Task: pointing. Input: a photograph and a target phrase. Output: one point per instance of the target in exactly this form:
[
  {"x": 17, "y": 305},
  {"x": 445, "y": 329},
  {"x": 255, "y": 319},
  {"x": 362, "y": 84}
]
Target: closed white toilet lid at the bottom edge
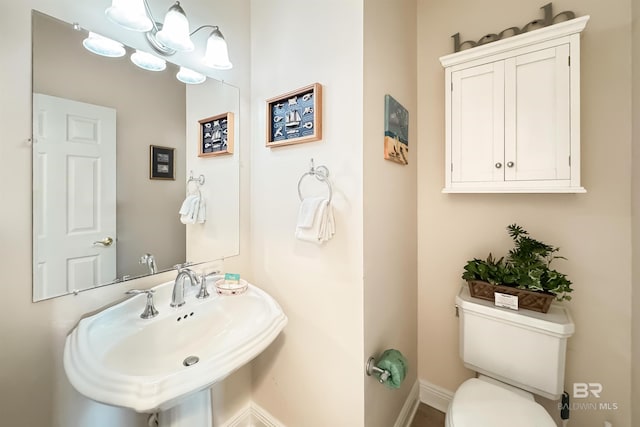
[{"x": 478, "y": 403}]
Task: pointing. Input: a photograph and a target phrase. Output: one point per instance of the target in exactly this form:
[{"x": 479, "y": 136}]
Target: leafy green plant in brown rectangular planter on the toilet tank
[{"x": 525, "y": 271}]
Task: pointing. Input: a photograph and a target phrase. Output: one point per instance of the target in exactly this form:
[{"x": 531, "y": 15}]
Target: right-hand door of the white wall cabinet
[{"x": 537, "y": 121}]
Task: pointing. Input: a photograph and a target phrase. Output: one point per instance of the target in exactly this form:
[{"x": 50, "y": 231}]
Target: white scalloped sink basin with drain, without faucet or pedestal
[{"x": 117, "y": 358}]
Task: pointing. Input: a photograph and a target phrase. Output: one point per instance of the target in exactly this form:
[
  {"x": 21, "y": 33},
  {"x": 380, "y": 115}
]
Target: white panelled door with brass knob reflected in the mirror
[{"x": 75, "y": 188}]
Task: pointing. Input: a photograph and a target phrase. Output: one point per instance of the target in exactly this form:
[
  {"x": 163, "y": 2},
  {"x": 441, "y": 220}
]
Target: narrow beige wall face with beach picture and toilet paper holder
[{"x": 390, "y": 203}]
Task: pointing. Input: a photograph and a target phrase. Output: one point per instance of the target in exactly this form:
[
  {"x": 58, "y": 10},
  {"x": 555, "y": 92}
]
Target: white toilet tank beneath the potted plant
[{"x": 523, "y": 348}]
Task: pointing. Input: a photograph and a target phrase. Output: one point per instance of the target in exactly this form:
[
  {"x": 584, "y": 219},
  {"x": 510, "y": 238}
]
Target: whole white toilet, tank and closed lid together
[{"x": 516, "y": 354}]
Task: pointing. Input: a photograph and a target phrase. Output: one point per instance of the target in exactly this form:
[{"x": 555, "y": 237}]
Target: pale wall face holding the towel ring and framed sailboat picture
[{"x": 312, "y": 375}]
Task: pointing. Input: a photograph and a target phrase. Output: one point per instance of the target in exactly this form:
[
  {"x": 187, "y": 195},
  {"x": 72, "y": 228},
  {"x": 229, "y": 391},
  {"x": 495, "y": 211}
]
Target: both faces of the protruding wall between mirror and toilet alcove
[{"x": 313, "y": 374}]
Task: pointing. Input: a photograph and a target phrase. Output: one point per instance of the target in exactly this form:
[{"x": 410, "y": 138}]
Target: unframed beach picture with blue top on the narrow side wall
[{"x": 396, "y": 131}]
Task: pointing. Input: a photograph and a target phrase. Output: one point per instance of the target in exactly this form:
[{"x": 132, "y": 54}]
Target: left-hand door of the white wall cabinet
[{"x": 477, "y": 123}]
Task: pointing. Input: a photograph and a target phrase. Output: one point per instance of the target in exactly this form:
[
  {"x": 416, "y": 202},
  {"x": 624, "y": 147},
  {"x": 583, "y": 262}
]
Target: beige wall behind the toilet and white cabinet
[{"x": 593, "y": 230}]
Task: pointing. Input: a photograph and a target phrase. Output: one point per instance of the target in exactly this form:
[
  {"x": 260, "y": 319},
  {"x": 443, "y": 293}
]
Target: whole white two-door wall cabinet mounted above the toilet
[{"x": 513, "y": 114}]
